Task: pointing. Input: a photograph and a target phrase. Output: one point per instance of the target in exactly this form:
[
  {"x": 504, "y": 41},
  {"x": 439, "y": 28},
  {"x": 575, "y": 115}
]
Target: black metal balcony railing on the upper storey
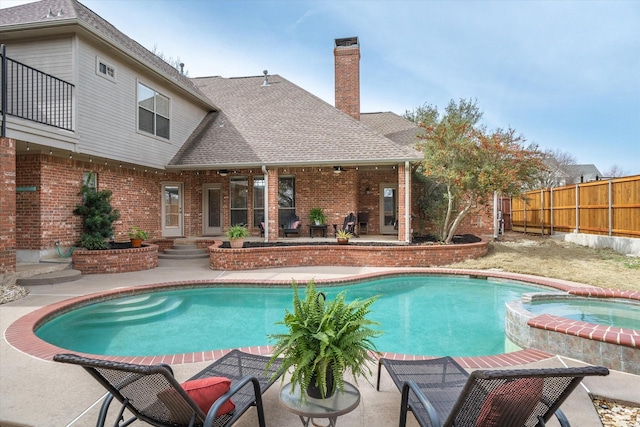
[{"x": 33, "y": 95}]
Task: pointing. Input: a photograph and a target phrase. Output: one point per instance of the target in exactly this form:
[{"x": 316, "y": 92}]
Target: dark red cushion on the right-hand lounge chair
[{"x": 511, "y": 403}]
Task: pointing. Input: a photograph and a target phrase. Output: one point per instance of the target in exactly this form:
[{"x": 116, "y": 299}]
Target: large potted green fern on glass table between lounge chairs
[{"x": 325, "y": 339}]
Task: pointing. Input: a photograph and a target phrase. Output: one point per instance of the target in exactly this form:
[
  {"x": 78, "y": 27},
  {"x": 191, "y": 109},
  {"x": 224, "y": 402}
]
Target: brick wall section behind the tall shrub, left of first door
[{"x": 46, "y": 215}]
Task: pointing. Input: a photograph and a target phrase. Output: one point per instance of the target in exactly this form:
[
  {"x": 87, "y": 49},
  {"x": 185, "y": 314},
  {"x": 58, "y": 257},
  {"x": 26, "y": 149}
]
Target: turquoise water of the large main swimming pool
[{"x": 427, "y": 315}]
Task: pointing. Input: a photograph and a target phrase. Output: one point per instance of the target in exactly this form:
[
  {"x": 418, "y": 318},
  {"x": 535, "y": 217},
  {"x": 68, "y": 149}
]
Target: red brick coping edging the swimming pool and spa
[{"x": 21, "y": 336}]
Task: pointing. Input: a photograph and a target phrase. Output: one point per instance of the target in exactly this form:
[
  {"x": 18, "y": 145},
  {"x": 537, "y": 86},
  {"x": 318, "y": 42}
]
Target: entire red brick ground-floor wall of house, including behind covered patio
[{"x": 46, "y": 215}]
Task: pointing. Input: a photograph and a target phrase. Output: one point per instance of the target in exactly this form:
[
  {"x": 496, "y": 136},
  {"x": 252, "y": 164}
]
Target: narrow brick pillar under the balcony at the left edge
[{"x": 7, "y": 206}]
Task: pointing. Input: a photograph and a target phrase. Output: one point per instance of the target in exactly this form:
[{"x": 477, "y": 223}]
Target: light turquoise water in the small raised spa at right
[{"x": 608, "y": 312}]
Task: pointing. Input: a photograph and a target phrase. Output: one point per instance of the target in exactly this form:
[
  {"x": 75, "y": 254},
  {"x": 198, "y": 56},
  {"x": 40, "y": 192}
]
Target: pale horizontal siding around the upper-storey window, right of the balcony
[{"x": 107, "y": 112}]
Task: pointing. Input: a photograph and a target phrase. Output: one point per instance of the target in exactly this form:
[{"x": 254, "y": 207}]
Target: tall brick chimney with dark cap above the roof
[{"x": 347, "y": 66}]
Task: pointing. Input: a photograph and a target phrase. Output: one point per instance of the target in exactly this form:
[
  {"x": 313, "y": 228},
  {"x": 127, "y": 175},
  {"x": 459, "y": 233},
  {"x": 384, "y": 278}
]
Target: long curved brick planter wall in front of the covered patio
[{"x": 344, "y": 255}]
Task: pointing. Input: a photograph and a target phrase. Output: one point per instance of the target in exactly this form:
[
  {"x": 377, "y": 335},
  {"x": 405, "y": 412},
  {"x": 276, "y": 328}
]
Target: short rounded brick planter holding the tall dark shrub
[{"x": 115, "y": 260}]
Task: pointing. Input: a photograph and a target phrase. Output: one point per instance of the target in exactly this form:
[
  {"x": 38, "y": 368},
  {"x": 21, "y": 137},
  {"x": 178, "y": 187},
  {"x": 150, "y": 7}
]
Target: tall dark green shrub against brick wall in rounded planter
[{"x": 98, "y": 217}]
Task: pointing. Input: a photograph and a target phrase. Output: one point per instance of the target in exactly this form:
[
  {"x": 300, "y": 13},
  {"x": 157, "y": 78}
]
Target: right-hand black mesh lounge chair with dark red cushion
[{"x": 440, "y": 392}]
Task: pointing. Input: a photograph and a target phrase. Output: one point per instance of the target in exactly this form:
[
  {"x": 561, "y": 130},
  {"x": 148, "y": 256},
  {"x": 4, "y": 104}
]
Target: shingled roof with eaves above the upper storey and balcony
[{"x": 59, "y": 15}]
